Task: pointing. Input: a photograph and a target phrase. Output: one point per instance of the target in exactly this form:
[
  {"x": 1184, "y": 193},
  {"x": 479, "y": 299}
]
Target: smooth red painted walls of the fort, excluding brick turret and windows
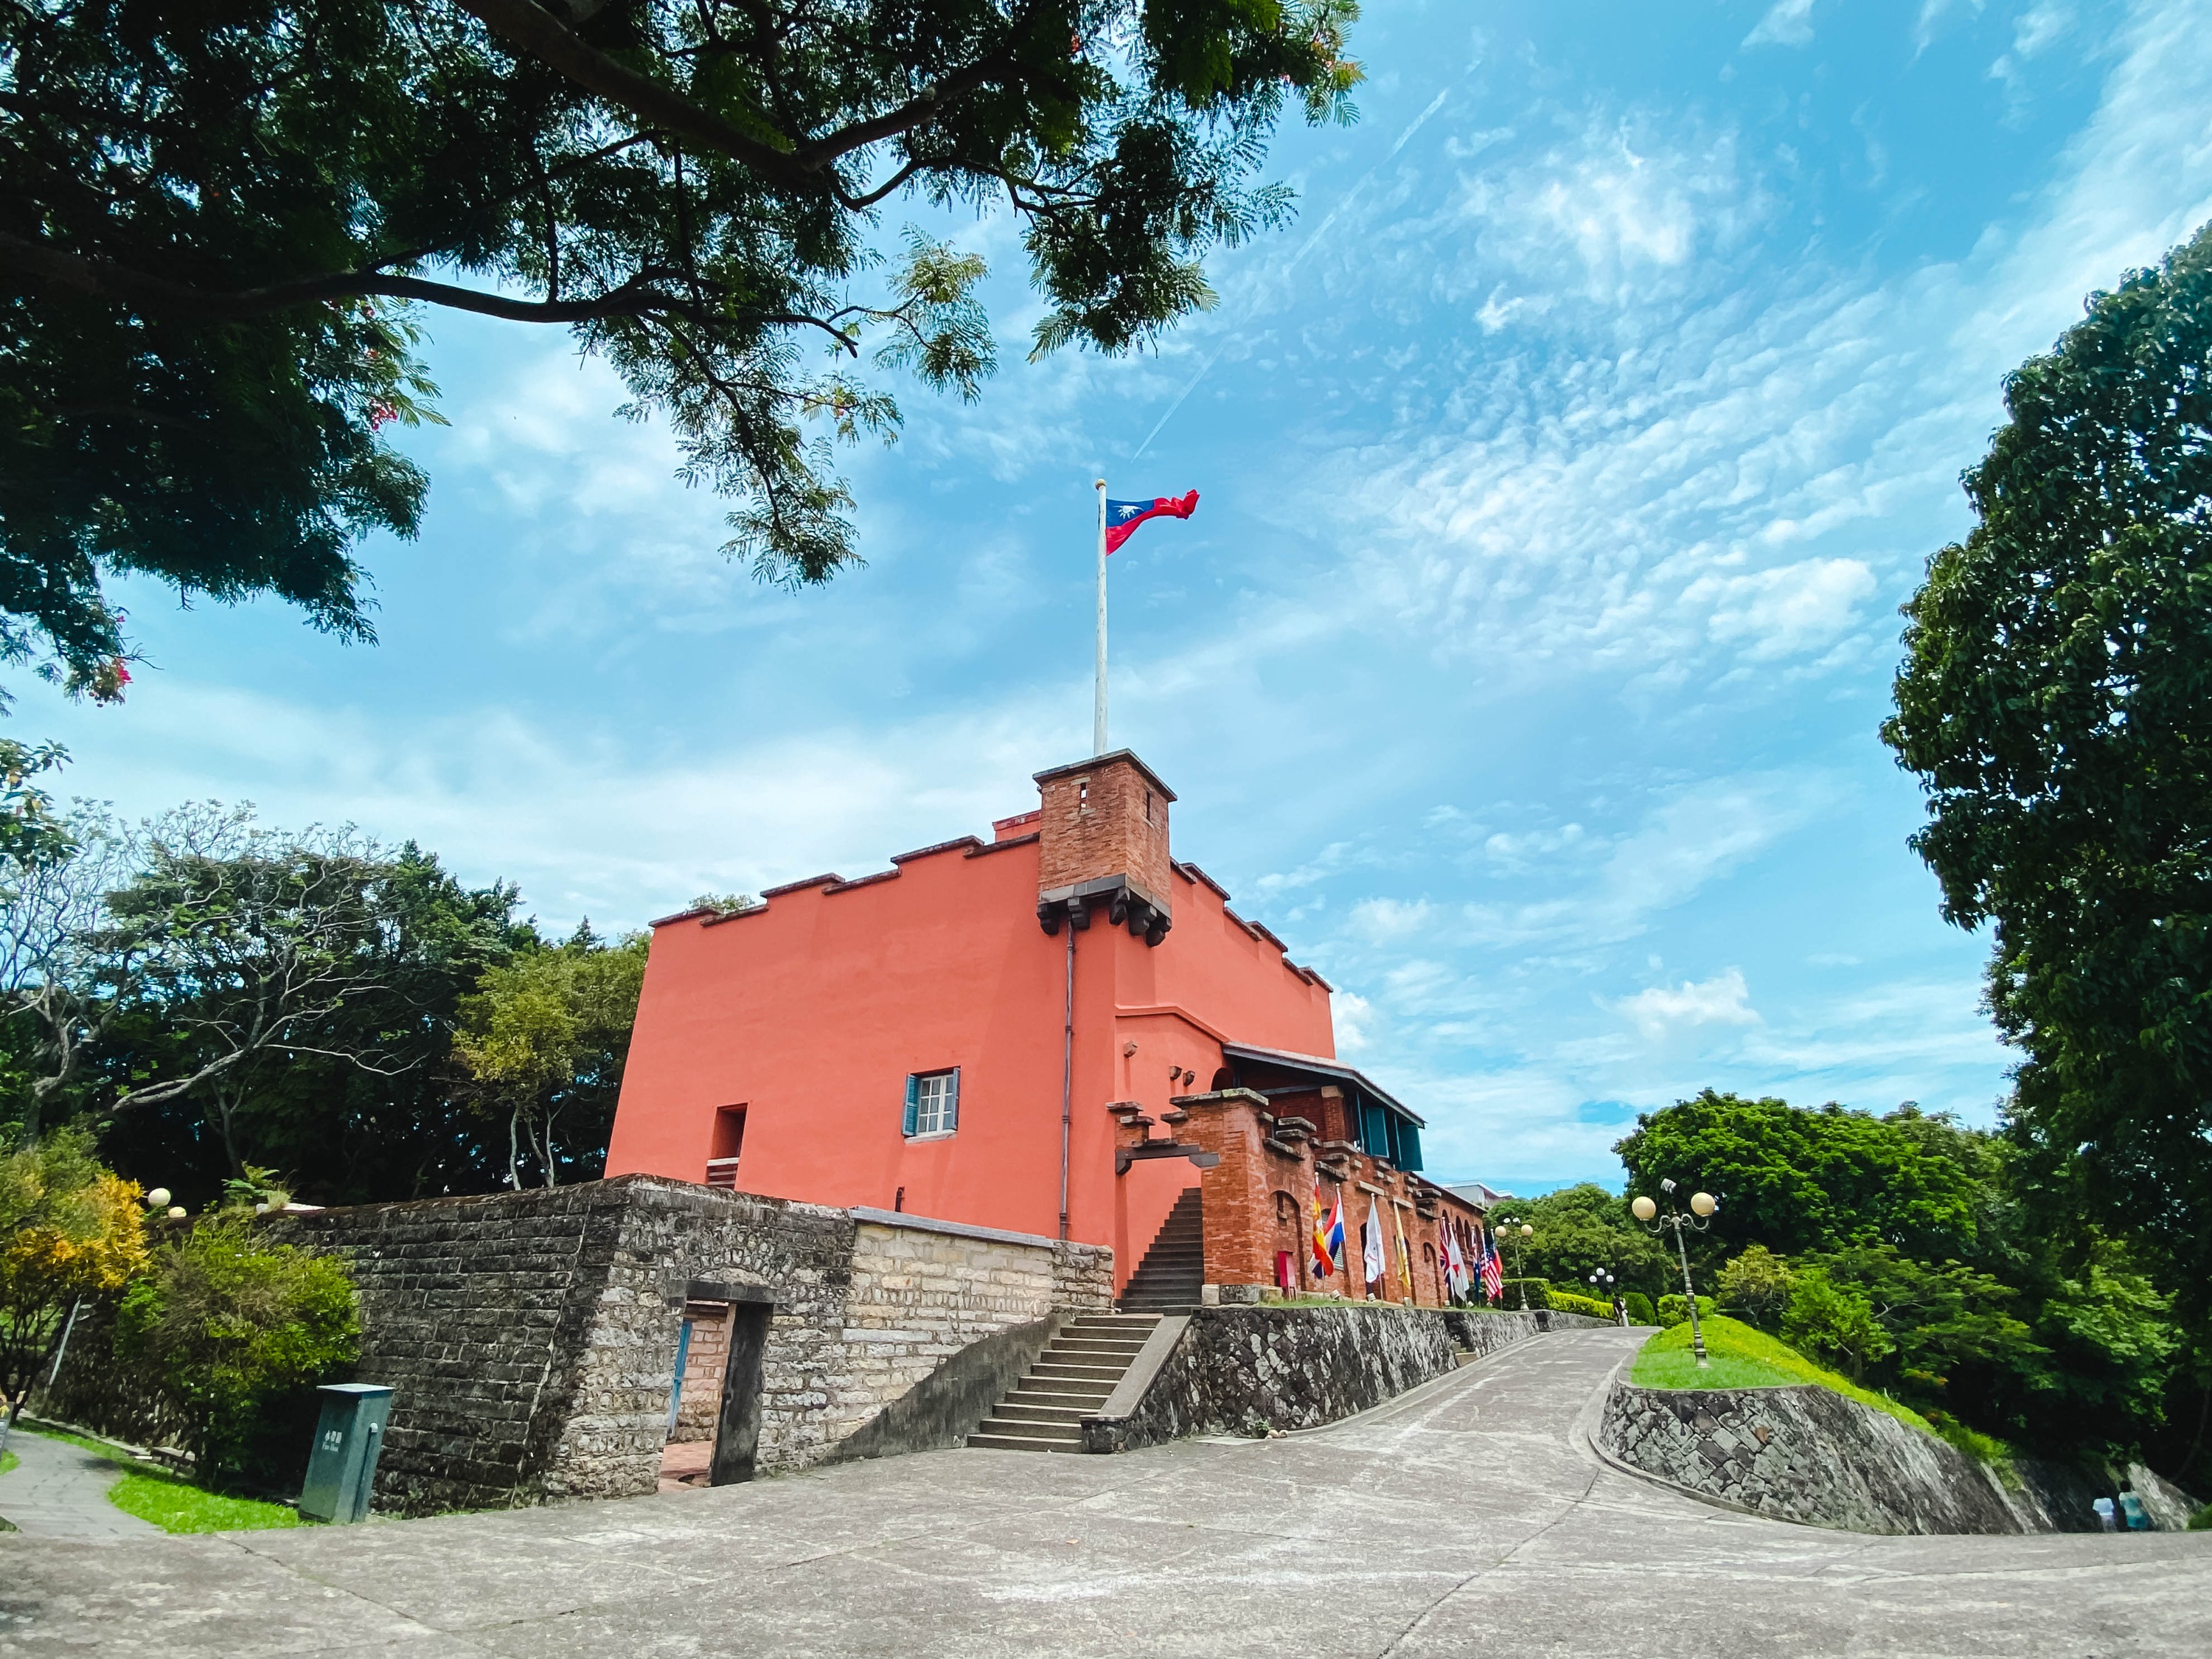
[{"x": 813, "y": 1010}]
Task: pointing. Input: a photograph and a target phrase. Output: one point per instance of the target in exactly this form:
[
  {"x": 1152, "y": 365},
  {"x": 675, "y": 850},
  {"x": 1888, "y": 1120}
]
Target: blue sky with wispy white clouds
[{"x": 1563, "y": 470}]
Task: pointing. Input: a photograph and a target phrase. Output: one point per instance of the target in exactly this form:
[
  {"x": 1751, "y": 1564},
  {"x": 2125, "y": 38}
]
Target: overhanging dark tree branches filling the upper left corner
[{"x": 225, "y": 222}]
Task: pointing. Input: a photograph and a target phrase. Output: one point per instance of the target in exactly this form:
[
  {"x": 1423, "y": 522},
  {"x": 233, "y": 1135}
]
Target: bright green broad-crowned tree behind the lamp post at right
[{"x": 1808, "y": 1180}]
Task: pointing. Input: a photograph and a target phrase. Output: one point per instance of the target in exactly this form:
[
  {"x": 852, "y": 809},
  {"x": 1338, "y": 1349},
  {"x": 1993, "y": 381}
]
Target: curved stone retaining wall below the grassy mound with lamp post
[{"x": 1815, "y": 1457}]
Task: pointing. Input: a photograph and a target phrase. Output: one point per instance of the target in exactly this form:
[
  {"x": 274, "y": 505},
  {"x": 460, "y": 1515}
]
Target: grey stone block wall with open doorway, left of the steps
[{"x": 532, "y": 1337}]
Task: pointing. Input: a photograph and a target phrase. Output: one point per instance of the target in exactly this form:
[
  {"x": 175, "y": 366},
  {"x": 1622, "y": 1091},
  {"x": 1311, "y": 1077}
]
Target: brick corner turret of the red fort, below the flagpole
[{"x": 1105, "y": 846}]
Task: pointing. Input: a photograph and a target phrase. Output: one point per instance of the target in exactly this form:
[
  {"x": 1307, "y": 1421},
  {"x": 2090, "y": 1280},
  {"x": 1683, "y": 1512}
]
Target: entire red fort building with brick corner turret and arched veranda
[{"x": 992, "y": 1032}]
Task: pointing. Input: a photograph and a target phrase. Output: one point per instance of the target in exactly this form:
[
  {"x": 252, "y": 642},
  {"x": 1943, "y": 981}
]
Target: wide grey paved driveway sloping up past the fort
[{"x": 1463, "y": 1519}]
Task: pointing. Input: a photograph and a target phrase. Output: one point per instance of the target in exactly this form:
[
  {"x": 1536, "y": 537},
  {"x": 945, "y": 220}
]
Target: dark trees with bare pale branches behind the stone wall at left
[{"x": 355, "y": 961}]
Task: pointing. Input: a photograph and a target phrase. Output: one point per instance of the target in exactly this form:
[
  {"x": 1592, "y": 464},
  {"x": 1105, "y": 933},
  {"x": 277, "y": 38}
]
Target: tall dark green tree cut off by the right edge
[{"x": 2056, "y": 702}]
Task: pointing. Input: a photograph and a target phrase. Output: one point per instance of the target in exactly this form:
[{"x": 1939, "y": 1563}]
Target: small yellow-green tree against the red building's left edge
[{"x": 552, "y": 1032}]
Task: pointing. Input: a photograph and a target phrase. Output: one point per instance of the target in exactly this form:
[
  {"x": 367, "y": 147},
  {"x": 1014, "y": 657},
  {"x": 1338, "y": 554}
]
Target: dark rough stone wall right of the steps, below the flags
[{"x": 1253, "y": 1368}]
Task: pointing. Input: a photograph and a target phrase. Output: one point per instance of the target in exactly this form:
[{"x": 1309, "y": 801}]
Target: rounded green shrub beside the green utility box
[{"x": 233, "y": 1331}]
